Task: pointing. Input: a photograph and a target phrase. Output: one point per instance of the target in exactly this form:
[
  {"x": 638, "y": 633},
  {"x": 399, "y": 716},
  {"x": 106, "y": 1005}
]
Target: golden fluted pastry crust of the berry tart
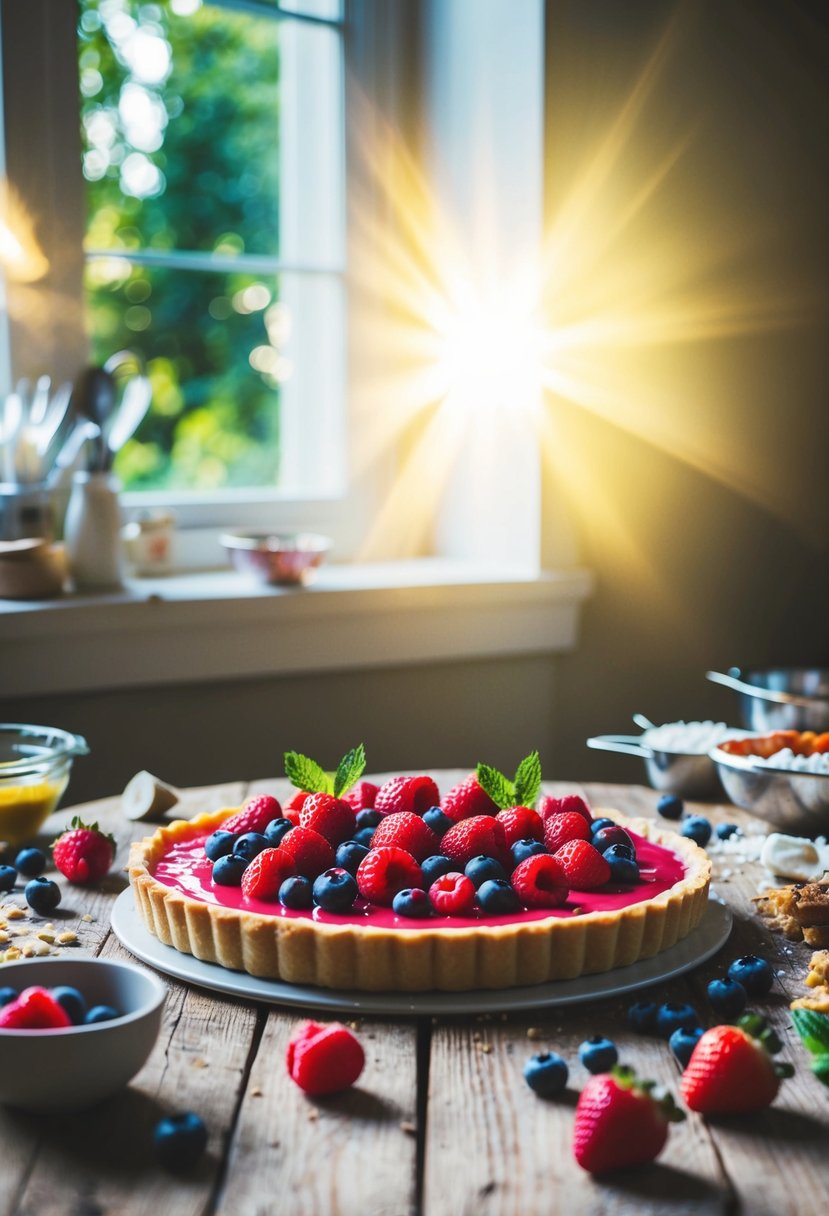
[{"x": 371, "y": 959}]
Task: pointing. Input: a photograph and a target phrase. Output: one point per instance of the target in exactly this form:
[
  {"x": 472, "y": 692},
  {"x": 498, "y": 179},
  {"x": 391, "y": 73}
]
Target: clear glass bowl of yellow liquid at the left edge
[{"x": 35, "y": 772}]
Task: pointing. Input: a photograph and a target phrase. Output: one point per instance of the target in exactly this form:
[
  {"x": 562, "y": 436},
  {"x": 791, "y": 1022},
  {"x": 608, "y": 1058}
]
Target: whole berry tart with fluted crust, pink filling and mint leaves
[{"x": 392, "y": 887}]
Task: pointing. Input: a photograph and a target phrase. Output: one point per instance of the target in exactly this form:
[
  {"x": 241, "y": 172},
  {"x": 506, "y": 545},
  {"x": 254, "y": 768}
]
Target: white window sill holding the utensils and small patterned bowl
[{"x": 217, "y": 626}]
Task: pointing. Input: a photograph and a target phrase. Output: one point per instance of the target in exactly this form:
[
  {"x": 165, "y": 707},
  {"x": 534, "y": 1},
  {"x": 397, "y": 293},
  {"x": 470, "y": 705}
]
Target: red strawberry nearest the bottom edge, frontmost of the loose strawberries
[{"x": 621, "y": 1122}]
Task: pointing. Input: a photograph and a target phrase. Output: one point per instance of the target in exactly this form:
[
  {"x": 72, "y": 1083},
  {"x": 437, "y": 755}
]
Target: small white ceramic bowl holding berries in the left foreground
[{"x": 71, "y": 1069}]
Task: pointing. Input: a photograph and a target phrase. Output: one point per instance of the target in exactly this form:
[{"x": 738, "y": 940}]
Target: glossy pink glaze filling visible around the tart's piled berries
[{"x": 185, "y": 869}]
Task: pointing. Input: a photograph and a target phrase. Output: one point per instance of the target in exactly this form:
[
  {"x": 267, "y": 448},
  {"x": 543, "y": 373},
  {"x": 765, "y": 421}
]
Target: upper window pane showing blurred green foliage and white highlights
[{"x": 181, "y": 121}]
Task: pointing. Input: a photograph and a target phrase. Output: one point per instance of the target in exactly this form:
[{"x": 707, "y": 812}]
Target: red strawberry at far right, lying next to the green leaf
[{"x": 731, "y": 1069}]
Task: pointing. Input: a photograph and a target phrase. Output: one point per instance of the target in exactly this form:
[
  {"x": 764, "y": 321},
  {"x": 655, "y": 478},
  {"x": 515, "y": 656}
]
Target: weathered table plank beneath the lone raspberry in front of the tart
[{"x": 352, "y": 1155}]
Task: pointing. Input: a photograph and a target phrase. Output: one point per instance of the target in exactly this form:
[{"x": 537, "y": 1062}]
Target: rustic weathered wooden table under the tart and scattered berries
[{"x": 442, "y": 1122}]
